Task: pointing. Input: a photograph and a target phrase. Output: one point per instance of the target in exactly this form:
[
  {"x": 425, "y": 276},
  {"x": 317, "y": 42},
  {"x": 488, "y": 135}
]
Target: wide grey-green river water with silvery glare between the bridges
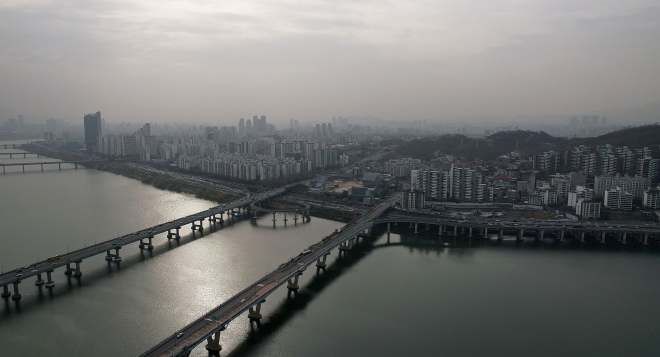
[{"x": 406, "y": 297}]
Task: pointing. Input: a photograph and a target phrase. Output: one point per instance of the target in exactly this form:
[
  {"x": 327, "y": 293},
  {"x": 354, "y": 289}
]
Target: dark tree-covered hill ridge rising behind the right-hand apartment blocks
[{"x": 504, "y": 142}]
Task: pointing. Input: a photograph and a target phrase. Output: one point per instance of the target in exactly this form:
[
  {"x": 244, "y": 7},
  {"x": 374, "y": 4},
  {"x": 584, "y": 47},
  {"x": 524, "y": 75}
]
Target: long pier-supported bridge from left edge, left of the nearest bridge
[{"x": 71, "y": 261}]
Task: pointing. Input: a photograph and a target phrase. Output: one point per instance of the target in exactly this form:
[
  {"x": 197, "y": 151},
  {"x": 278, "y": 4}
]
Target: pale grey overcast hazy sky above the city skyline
[{"x": 217, "y": 61}]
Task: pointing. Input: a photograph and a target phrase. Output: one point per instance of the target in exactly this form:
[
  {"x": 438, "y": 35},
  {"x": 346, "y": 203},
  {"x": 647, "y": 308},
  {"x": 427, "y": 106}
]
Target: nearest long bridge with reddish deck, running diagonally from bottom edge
[{"x": 209, "y": 327}]
